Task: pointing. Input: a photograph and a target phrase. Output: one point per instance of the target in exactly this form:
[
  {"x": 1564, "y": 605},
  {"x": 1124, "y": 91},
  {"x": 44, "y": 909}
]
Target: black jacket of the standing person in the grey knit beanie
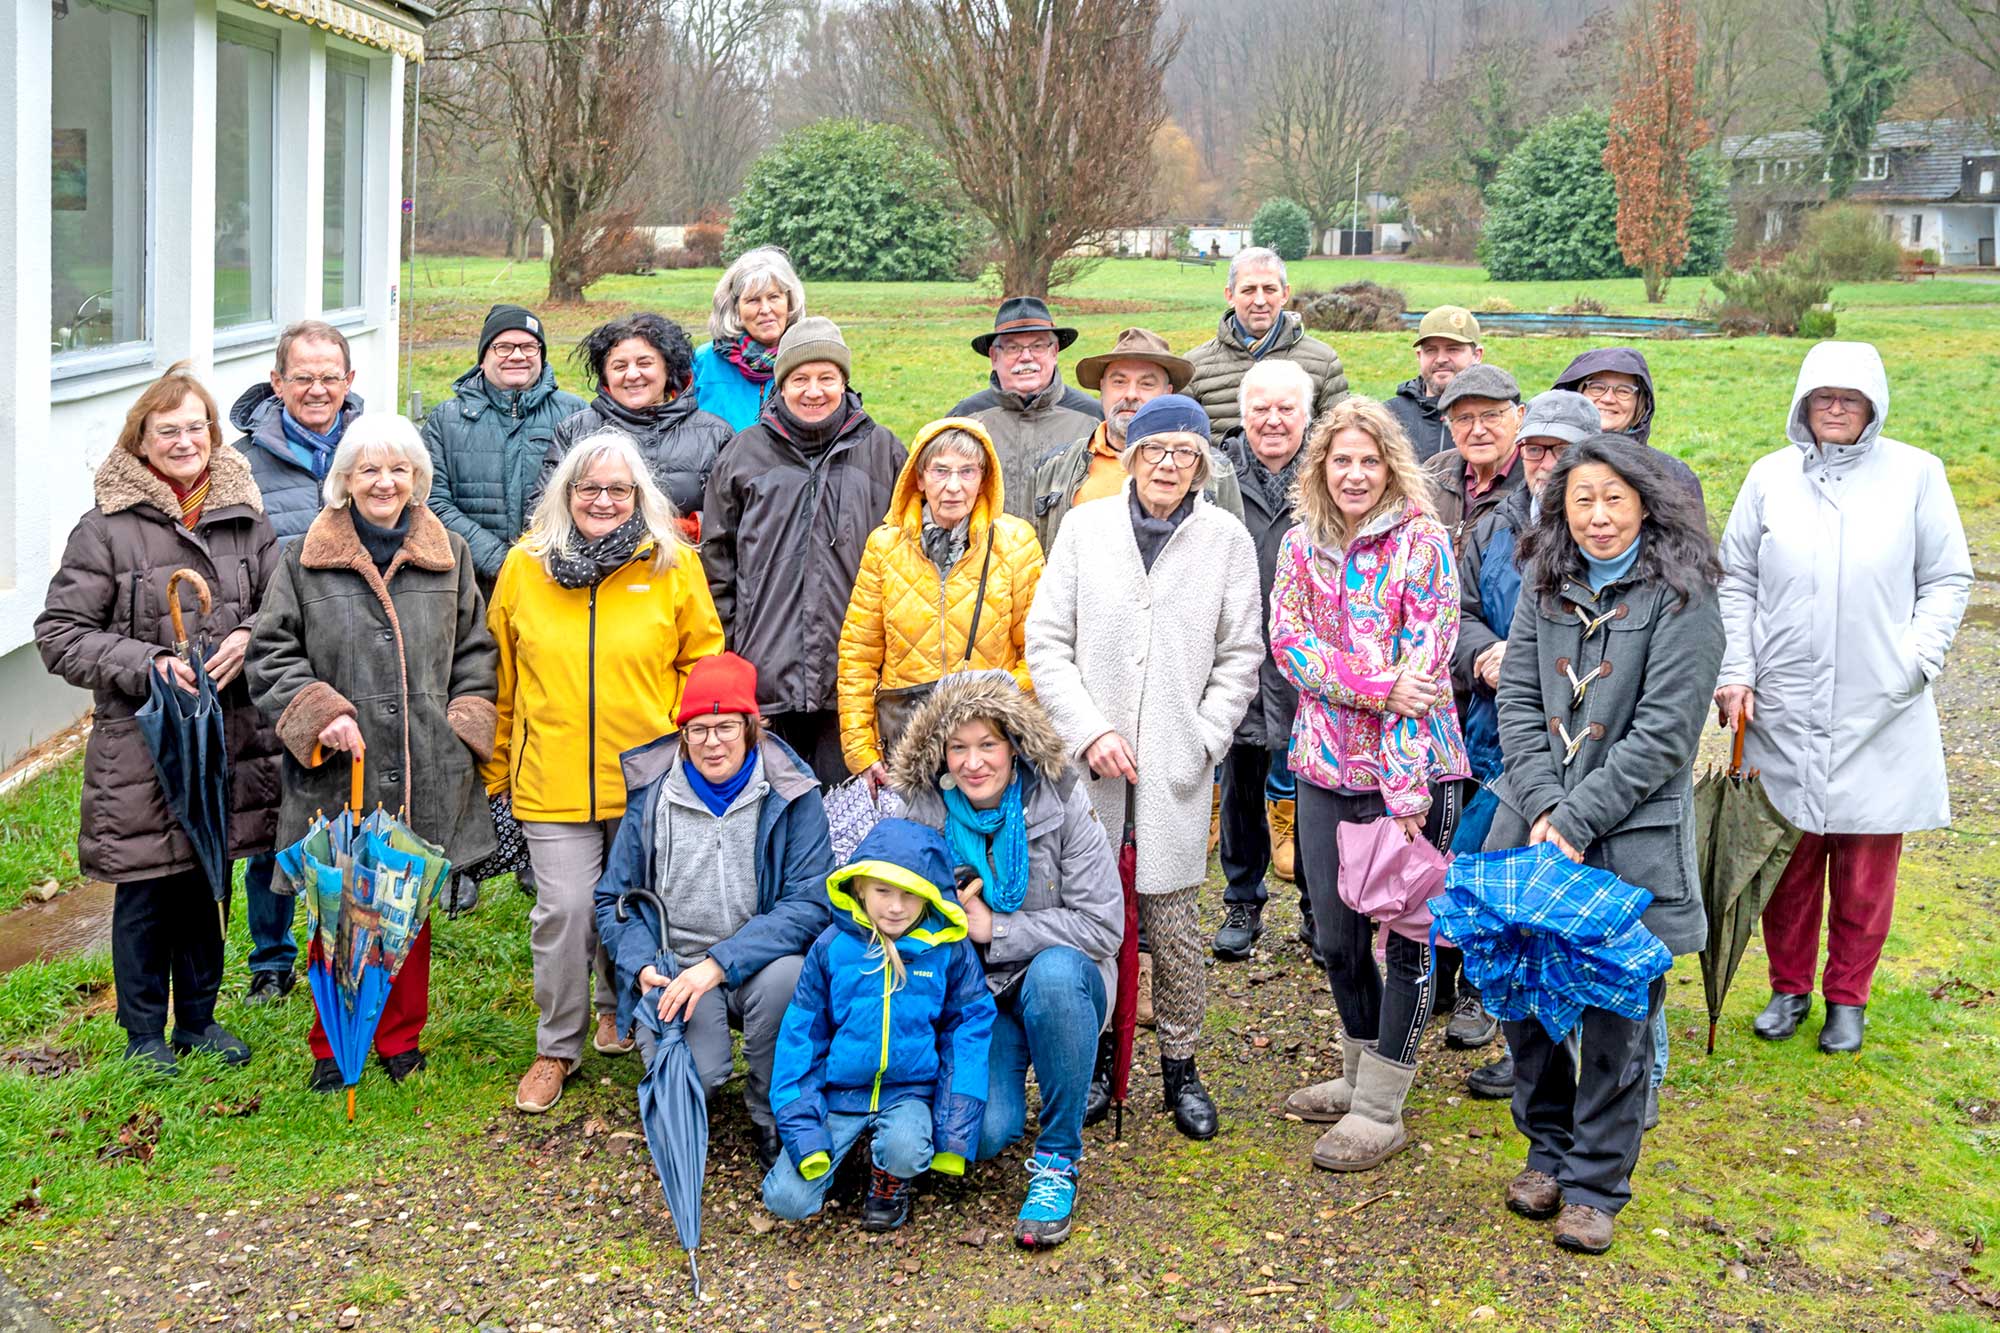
[{"x": 783, "y": 533}]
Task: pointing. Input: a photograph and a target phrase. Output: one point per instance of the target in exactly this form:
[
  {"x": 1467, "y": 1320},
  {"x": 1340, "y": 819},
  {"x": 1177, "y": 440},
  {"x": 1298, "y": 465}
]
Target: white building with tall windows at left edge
[{"x": 179, "y": 179}]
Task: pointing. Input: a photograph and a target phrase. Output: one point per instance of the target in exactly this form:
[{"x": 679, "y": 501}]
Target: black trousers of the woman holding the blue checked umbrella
[{"x": 1585, "y": 1122}]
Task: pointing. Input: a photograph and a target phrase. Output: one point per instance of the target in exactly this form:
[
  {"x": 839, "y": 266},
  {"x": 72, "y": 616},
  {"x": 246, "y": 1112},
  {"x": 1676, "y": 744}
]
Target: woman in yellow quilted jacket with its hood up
[{"x": 945, "y": 585}]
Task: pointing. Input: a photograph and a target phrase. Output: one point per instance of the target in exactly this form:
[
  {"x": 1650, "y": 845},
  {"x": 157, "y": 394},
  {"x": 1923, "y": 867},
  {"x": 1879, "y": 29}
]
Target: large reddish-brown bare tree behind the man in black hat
[{"x": 1045, "y": 109}]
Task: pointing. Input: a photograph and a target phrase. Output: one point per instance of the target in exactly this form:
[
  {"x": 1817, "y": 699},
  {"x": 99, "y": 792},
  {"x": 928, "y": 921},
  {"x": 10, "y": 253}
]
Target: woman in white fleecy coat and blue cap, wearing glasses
[{"x": 1145, "y": 651}]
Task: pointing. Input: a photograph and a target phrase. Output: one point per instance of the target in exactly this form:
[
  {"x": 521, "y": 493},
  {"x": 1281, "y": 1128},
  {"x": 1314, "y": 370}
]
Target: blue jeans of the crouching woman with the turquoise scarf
[{"x": 1051, "y": 1020}]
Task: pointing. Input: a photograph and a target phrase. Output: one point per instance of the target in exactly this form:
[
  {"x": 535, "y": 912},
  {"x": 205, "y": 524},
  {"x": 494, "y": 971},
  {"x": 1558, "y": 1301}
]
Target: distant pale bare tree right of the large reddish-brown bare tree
[{"x": 1323, "y": 109}]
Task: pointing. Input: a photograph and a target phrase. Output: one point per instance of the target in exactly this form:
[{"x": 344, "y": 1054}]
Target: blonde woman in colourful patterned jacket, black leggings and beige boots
[{"x": 1363, "y": 621}]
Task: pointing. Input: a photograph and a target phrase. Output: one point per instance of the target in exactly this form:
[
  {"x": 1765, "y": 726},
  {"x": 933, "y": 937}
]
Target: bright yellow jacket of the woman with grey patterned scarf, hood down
[{"x": 589, "y": 674}]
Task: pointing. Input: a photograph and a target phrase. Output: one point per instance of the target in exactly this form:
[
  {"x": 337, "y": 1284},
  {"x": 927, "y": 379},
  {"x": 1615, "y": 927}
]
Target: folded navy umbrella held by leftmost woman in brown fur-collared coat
[{"x": 189, "y": 752}]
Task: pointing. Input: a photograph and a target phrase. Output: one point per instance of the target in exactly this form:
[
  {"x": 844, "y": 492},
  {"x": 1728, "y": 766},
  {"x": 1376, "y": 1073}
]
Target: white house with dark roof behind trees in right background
[{"x": 1935, "y": 183}]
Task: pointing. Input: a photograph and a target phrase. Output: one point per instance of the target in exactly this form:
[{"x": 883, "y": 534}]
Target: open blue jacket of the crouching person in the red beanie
[{"x": 795, "y": 856}]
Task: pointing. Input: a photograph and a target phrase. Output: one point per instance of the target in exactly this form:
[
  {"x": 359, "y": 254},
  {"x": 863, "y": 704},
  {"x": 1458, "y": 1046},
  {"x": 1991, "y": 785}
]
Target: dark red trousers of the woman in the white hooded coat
[{"x": 1859, "y": 872}]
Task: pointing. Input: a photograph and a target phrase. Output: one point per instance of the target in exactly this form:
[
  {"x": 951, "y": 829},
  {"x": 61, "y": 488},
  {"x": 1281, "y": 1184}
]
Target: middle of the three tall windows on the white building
[{"x": 247, "y": 113}]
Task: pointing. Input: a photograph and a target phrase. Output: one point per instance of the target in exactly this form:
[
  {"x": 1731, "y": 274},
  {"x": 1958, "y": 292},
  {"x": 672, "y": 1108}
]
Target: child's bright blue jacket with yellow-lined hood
[{"x": 853, "y": 1046}]
